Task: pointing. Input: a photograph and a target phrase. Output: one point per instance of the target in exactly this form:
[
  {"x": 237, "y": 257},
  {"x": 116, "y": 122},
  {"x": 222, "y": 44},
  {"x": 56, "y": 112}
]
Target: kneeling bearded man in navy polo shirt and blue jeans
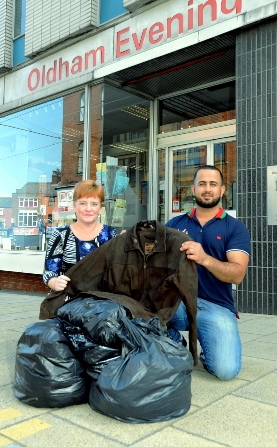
[{"x": 221, "y": 249}]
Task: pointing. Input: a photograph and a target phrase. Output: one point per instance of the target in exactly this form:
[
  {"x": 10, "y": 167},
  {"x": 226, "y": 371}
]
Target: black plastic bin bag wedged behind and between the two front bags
[{"x": 91, "y": 325}]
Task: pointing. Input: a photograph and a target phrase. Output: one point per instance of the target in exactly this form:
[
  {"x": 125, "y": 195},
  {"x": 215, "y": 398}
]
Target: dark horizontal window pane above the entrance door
[{"x": 203, "y": 107}]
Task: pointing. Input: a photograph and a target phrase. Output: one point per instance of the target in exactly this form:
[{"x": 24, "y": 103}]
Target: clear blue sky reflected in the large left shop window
[{"x": 30, "y": 145}]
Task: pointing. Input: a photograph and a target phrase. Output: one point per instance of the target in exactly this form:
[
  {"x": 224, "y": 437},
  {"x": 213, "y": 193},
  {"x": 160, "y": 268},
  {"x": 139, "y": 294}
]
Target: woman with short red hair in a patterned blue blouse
[{"x": 69, "y": 244}]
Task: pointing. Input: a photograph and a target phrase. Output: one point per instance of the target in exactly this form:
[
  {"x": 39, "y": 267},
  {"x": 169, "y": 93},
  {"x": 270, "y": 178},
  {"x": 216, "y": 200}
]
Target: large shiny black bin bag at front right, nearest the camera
[{"x": 151, "y": 382}]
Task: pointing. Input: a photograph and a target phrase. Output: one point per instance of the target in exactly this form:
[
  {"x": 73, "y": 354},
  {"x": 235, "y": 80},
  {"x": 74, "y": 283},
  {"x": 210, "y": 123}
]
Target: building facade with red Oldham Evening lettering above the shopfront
[{"x": 137, "y": 94}]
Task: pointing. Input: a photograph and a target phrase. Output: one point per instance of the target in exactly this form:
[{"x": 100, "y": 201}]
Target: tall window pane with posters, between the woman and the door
[{"x": 124, "y": 164}]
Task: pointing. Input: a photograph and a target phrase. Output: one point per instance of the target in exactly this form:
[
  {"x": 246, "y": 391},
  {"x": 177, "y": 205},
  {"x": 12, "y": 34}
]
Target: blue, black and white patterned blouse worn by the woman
[{"x": 64, "y": 249}]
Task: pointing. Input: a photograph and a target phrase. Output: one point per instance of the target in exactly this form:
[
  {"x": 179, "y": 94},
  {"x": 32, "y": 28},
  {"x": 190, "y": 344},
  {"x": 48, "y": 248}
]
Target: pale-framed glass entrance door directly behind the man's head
[{"x": 177, "y": 166}]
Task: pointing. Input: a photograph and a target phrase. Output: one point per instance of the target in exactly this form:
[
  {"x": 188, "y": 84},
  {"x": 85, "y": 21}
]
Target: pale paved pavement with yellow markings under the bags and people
[{"x": 238, "y": 413}]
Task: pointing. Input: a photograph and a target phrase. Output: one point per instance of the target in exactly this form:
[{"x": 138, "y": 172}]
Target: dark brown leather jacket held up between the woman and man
[{"x": 142, "y": 269}]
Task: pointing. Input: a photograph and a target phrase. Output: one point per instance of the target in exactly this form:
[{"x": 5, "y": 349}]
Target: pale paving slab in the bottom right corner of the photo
[{"x": 235, "y": 422}]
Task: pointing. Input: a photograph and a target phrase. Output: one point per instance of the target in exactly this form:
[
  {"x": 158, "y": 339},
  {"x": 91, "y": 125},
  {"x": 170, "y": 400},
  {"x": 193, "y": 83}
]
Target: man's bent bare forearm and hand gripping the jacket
[{"x": 232, "y": 271}]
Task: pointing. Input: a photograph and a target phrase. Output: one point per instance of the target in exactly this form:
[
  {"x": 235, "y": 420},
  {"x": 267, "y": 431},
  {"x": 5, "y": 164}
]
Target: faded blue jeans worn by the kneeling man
[{"x": 218, "y": 335}]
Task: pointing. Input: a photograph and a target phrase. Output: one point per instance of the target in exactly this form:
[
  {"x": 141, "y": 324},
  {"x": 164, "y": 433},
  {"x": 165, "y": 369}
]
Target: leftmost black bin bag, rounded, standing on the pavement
[{"x": 47, "y": 372}]
